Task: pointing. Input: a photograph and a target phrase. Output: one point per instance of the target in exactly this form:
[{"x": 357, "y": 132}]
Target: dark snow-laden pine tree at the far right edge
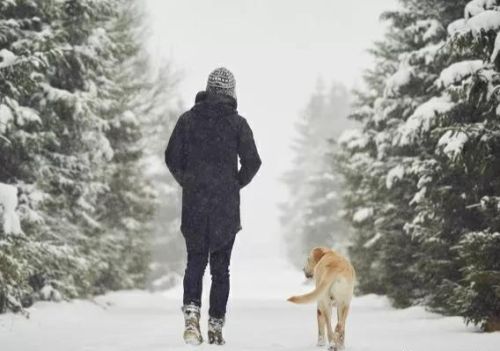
[{"x": 464, "y": 192}]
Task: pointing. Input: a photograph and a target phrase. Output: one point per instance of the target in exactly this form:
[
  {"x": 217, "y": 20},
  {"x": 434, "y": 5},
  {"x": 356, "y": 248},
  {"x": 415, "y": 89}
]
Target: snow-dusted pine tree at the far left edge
[{"x": 27, "y": 46}]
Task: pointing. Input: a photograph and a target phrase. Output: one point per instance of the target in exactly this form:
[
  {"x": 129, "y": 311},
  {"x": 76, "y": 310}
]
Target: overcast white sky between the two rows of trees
[{"x": 277, "y": 50}]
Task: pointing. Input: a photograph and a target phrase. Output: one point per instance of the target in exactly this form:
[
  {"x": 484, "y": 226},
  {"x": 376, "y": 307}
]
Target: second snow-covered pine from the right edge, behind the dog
[{"x": 385, "y": 178}]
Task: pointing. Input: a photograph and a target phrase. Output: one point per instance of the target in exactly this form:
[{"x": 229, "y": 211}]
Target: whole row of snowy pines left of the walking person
[{"x": 83, "y": 115}]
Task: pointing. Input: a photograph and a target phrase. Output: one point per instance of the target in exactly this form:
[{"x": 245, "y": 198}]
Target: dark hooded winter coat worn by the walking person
[{"x": 202, "y": 155}]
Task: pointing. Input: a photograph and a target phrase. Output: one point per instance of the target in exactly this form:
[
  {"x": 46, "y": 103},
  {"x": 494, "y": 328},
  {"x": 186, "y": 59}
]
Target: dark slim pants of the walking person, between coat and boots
[{"x": 197, "y": 260}]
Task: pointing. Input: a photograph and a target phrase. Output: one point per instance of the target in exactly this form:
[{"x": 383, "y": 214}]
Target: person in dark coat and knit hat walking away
[{"x": 202, "y": 155}]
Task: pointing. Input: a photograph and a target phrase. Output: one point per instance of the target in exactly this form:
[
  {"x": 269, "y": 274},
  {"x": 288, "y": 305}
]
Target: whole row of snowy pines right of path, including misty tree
[{"x": 419, "y": 178}]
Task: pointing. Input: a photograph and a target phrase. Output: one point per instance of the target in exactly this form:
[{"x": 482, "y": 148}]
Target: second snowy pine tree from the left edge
[{"x": 74, "y": 101}]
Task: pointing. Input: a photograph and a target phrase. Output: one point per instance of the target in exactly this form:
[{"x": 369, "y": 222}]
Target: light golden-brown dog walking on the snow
[{"x": 334, "y": 276}]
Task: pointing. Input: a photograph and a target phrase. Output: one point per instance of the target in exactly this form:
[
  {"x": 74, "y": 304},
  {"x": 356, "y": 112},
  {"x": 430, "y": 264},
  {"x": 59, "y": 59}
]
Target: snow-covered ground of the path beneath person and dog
[{"x": 259, "y": 319}]
